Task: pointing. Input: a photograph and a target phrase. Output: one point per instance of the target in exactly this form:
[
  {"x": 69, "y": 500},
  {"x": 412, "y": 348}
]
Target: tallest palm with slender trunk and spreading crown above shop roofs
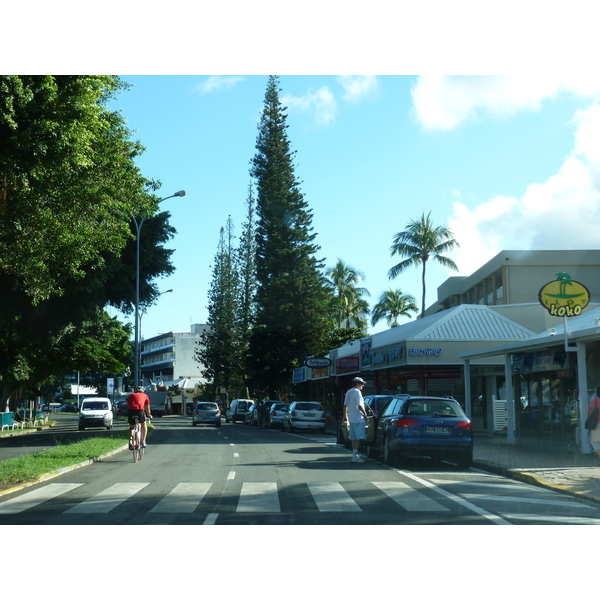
[{"x": 420, "y": 242}]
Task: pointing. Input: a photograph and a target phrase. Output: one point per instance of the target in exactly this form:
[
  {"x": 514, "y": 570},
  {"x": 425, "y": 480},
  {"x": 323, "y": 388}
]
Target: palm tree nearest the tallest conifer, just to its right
[{"x": 344, "y": 282}]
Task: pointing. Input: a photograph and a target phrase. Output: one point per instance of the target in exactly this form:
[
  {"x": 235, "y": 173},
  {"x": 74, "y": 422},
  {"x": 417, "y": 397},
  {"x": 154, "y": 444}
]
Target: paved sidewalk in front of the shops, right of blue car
[{"x": 542, "y": 462}]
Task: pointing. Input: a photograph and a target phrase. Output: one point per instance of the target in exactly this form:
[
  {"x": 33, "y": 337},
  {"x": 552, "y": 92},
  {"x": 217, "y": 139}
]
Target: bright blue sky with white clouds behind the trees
[{"x": 507, "y": 162}]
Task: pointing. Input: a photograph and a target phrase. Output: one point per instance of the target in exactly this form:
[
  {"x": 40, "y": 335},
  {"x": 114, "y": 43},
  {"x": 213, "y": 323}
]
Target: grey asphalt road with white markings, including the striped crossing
[{"x": 239, "y": 475}]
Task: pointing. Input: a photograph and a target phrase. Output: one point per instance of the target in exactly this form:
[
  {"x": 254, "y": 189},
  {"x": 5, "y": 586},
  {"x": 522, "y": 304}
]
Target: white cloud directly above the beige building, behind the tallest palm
[{"x": 560, "y": 213}]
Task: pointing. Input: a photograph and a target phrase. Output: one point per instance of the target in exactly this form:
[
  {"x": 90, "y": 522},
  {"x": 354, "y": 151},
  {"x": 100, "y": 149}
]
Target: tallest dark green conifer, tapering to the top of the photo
[{"x": 291, "y": 317}]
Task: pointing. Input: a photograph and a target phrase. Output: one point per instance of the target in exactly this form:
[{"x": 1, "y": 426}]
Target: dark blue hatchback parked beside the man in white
[{"x": 424, "y": 426}]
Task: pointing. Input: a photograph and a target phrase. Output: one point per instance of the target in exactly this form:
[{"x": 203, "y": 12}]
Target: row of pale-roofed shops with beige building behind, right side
[{"x": 477, "y": 326}]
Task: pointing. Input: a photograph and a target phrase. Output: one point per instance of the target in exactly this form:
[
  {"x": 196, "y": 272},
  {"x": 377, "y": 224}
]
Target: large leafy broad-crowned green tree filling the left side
[{"x": 68, "y": 188}]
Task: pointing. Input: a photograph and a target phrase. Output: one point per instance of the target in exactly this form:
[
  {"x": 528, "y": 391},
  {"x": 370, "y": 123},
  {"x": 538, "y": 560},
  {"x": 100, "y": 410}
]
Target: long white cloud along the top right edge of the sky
[{"x": 445, "y": 102}]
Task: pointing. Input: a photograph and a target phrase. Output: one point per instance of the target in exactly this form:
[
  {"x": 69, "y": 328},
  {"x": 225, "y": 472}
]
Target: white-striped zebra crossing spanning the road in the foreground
[{"x": 499, "y": 502}]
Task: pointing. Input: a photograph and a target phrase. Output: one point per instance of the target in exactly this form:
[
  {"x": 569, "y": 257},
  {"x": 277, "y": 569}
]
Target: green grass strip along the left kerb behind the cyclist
[{"x": 27, "y": 468}]
